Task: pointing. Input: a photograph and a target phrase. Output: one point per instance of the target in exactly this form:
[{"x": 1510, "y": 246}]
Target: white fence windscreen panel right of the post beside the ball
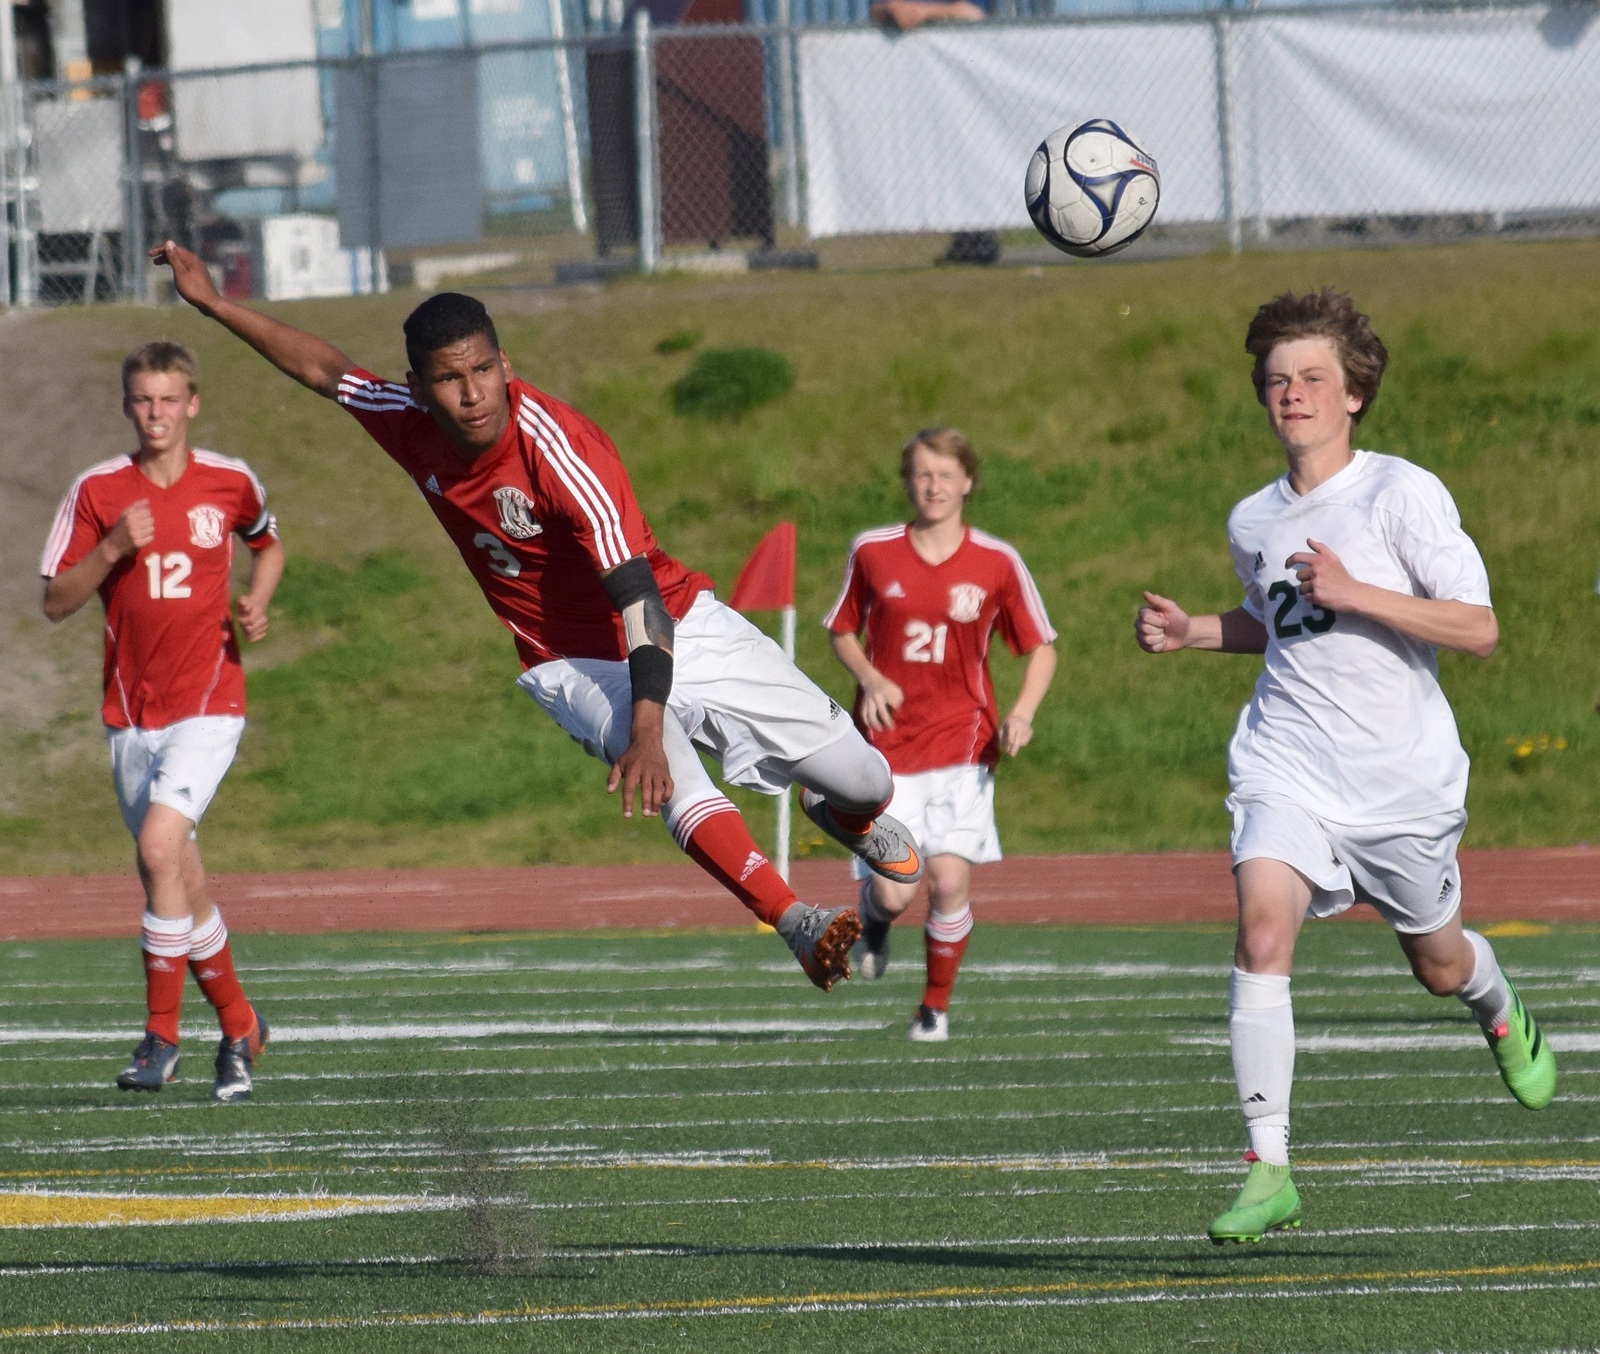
[{"x": 1418, "y": 114}]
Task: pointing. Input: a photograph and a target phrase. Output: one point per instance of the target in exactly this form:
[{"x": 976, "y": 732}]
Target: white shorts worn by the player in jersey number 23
[{"x": 1407, "y": 871}]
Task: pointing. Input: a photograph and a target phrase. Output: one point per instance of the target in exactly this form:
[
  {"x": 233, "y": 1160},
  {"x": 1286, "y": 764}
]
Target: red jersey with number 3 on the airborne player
[{"x": 537, "y": 518}]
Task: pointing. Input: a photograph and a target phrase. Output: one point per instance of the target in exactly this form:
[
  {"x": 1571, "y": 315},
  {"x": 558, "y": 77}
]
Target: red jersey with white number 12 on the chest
[{"x": 170, "y": 646}]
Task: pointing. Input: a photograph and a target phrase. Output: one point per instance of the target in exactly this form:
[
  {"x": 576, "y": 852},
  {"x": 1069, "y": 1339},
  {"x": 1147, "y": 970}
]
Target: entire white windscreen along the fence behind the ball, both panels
[{"x": 1330, "y": 116}]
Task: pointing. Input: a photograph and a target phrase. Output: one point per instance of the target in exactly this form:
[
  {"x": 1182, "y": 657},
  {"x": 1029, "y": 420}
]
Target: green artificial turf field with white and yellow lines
[{"x": 670, "y": 1140}]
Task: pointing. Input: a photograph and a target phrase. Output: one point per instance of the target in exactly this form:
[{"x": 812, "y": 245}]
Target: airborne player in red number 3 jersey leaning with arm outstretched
[{"x": 623, "y": 647}]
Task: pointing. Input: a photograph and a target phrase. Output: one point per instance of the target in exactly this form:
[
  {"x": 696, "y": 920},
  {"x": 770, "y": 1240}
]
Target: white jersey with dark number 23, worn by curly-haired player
[{"x": 1348, "y": 718}]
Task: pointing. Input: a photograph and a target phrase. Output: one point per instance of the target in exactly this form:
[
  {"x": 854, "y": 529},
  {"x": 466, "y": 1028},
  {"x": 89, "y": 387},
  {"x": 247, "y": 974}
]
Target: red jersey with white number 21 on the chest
[{"x": 929, "y": 631}]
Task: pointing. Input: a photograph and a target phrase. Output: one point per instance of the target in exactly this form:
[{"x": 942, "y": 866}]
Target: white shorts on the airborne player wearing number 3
[{"x": 735, "y": 695}]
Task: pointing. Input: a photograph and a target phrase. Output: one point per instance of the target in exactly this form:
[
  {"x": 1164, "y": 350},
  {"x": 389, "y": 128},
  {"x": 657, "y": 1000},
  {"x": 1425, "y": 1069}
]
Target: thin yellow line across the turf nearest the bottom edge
[{"x": 767, "y": 1302}]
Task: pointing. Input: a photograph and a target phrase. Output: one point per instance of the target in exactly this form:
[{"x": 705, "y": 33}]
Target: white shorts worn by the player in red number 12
[{"x": 180, "y": 766}]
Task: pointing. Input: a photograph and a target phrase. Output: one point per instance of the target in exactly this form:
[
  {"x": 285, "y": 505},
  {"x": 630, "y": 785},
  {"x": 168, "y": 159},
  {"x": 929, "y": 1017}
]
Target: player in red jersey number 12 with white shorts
[{"x": 153, "y": 532}]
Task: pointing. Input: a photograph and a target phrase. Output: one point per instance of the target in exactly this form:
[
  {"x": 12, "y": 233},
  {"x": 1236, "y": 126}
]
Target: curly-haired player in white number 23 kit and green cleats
[{"x": 1348, "y": 777}]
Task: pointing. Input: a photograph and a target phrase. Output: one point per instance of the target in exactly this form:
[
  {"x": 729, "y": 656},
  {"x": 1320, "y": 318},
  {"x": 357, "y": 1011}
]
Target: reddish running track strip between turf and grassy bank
[{"x": 1548, "y": 886}]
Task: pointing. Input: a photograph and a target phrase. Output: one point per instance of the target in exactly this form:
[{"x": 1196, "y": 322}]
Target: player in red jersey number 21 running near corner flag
[{"x": 930, "y": 596}]
